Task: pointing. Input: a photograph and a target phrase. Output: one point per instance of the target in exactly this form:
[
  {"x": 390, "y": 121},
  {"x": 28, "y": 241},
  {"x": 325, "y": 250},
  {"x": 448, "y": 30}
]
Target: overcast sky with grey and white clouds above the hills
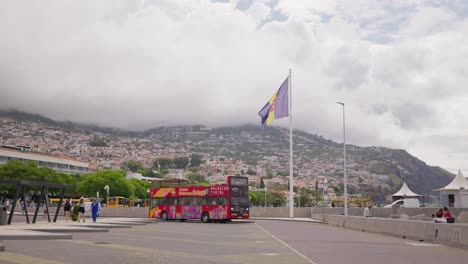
[{"x": 400, "y": 66}]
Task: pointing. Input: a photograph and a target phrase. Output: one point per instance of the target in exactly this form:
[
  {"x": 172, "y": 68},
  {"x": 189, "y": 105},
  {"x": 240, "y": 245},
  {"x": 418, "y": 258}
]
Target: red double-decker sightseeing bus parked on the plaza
[{"x": 177, "y": 199}]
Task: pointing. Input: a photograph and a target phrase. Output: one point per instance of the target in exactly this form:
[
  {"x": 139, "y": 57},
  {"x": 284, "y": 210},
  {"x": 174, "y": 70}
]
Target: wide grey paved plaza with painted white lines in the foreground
[{"x": 262, "y": 241}]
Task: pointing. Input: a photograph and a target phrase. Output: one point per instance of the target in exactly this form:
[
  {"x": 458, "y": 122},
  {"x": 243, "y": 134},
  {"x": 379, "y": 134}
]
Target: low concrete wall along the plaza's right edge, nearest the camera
[{"x": 455, "y": 235}]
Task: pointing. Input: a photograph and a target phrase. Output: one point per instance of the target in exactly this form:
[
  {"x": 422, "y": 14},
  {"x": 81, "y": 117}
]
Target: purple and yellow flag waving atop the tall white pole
[{"x": 277, "y": 106}]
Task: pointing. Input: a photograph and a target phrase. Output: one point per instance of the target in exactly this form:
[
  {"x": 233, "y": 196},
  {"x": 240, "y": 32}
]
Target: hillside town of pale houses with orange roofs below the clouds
[{"x": 115, "y": 150}]
